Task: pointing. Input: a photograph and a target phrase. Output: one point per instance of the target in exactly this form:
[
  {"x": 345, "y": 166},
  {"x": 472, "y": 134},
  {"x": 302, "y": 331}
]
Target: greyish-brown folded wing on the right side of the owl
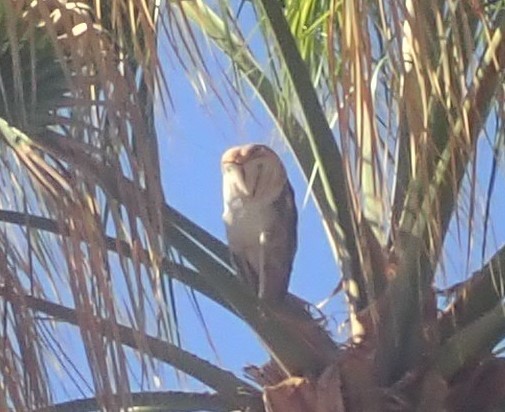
[{"x": 279, "y": 248}]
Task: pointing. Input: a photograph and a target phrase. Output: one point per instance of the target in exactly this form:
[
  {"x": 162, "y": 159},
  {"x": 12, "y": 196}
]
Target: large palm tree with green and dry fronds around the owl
[{"x": 386, "y": 107}]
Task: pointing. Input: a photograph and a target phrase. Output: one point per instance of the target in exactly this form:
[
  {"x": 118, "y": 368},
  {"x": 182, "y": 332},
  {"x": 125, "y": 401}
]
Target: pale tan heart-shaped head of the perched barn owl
[{"x": 253, "y": 173}]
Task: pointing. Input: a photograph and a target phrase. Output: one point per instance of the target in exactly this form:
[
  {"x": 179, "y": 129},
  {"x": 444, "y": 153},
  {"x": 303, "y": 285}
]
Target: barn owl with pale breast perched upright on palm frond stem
[{"x": 260, "y": 218}]
